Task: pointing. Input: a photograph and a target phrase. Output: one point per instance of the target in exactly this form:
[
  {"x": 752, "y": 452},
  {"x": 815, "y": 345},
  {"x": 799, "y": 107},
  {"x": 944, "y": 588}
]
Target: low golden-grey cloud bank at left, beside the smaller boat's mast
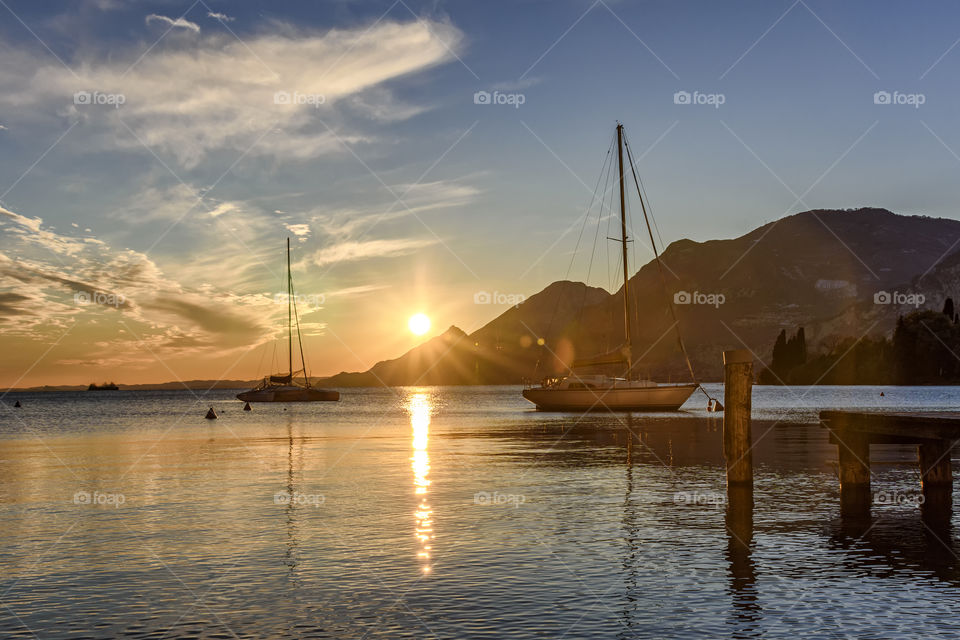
[{"x": 88, "y": 278}]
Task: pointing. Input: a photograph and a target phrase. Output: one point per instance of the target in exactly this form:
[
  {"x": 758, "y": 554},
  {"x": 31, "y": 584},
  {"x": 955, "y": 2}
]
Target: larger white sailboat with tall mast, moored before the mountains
[{"x": 584, "y": 392}]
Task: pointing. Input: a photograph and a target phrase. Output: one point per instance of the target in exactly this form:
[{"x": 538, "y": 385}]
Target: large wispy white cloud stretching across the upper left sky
[{"x": 191, "y": 98}]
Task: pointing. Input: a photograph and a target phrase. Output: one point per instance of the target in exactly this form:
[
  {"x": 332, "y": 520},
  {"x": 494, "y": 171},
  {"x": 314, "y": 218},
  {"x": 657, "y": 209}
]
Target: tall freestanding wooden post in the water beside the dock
[{"x": 737, "y": 438}]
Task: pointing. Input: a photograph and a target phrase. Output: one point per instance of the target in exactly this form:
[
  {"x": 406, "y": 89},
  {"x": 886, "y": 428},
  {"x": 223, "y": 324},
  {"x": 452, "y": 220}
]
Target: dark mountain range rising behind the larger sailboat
[{"x": 819, "y": 269}]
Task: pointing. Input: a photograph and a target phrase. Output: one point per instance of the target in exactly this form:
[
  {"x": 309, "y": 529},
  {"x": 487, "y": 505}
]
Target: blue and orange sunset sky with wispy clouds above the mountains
[{"x": 155, "y": 156}]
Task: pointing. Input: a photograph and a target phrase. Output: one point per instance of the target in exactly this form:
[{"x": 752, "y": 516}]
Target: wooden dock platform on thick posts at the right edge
[{"x": 934, "y": 433}]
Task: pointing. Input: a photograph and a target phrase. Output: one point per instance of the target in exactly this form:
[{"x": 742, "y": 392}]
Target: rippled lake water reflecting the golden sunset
[{"x": 454, "y": 513}]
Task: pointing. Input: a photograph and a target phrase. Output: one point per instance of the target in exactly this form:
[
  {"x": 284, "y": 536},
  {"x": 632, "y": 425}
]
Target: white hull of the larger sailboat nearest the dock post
[{"x": 653, "y": 398}]
